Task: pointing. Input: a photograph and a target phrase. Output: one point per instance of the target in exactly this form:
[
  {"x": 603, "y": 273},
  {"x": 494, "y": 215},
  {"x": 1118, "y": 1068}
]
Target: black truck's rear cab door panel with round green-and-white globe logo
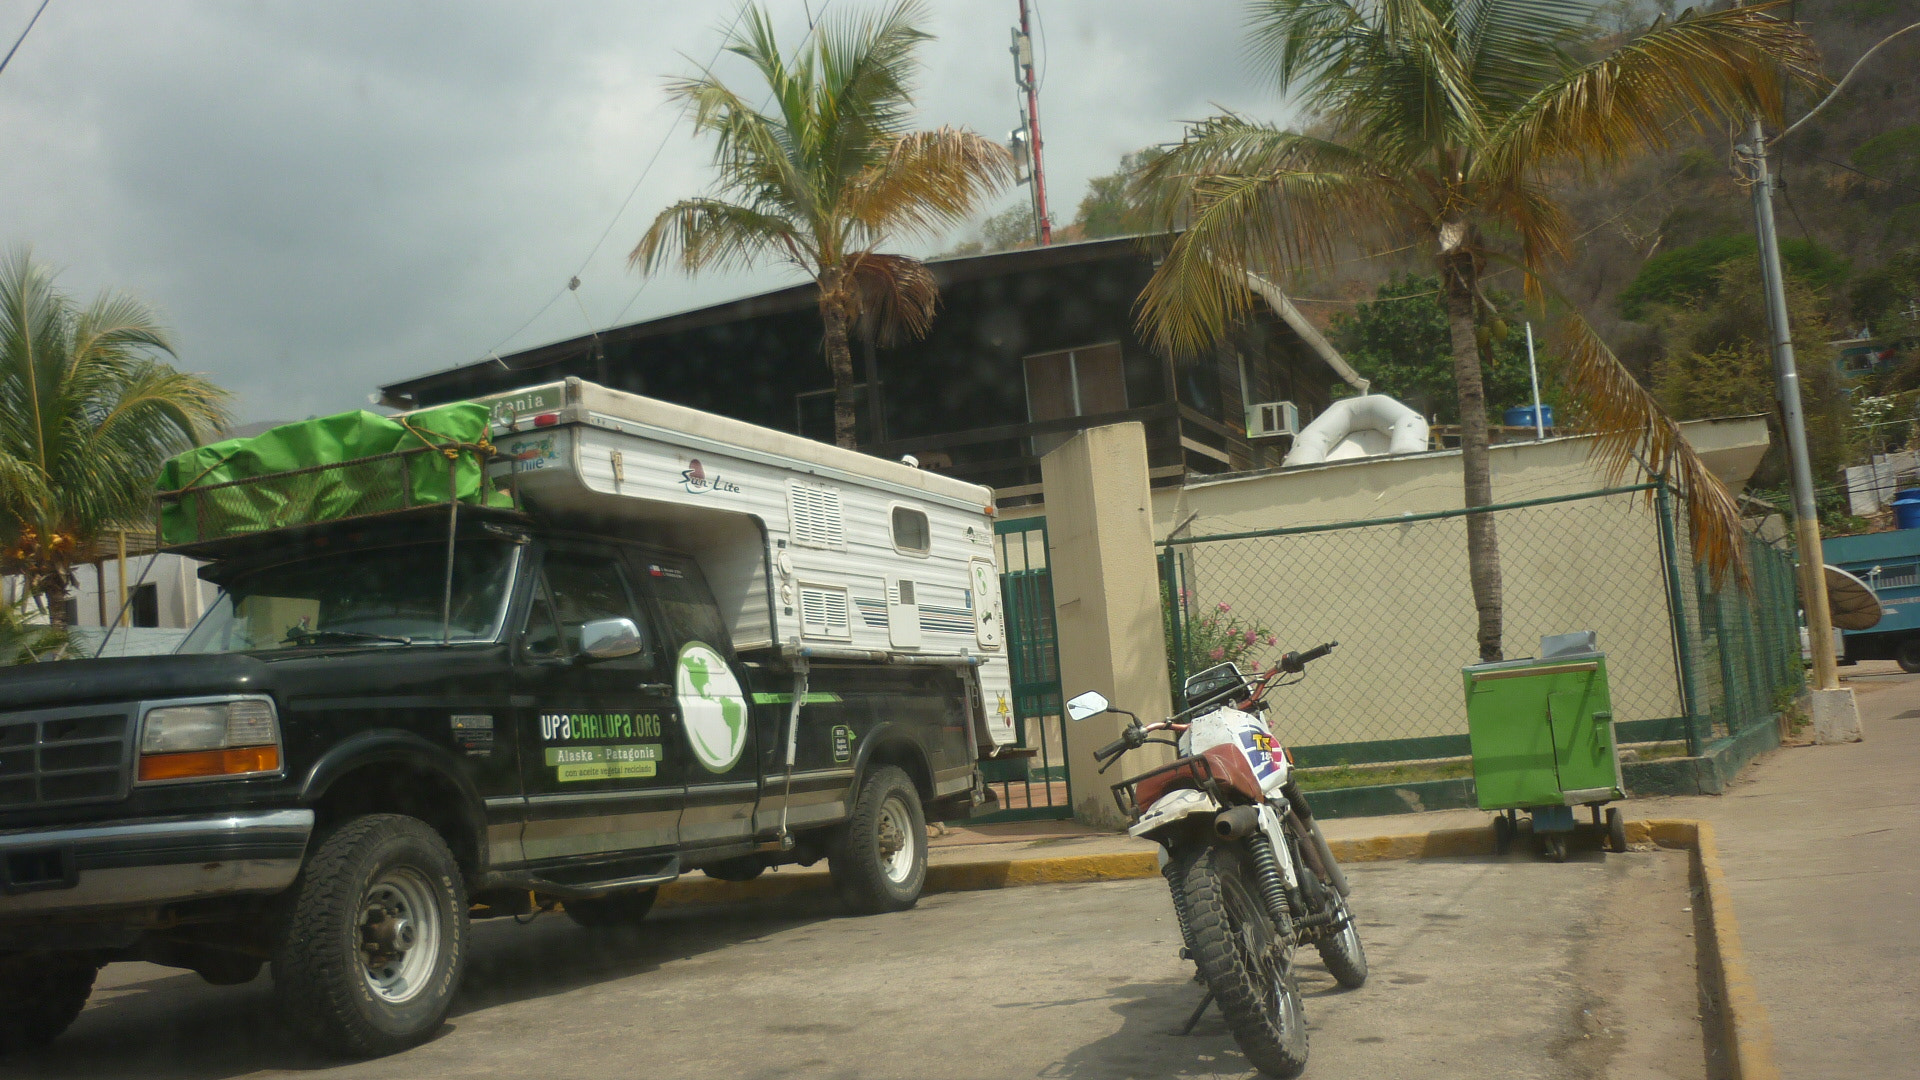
[{"x": 715, "y": 733}]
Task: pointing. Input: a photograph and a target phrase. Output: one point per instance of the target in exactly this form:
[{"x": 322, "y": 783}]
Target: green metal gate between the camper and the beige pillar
[{"x": 1032, "y": 779}]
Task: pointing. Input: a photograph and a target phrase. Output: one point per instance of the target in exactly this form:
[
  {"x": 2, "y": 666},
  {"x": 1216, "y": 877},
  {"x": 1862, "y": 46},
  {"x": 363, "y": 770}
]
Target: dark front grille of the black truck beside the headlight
[{"x": 64, "y": 756}]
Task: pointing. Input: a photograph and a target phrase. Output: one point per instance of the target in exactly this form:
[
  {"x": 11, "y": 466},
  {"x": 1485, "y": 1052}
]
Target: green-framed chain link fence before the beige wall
[{"x": 1689, "y": 662}]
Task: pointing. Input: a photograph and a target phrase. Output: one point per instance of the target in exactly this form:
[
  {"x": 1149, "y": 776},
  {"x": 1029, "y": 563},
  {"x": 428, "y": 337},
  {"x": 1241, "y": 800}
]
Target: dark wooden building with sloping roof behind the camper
[{"x": 1028, "y": 349}]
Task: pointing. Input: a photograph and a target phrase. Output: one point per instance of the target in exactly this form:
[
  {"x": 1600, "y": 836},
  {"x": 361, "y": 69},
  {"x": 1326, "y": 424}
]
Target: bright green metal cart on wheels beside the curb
[{"x": 1543, "y": 743}]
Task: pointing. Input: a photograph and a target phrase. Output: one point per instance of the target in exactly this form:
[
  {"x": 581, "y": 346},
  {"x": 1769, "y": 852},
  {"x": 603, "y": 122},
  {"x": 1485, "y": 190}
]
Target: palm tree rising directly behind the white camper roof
[{"x": 828, "y": 176}]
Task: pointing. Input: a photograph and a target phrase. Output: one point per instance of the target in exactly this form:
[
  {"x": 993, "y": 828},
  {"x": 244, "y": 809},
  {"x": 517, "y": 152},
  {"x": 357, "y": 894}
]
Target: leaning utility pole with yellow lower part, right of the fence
[{"x": 1827, "y": 700}]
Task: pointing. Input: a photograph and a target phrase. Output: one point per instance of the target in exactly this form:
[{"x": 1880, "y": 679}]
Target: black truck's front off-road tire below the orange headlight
[{"x": 320, "y": 968}]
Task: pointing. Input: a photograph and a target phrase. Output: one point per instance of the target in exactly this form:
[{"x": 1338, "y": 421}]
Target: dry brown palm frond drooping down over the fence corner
[{"x": 1631, "y": 431}]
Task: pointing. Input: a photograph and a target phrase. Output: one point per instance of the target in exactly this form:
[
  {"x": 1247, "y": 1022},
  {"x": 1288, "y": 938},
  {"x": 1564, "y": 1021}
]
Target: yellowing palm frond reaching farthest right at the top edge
[{"x": 1717, "y": 64}]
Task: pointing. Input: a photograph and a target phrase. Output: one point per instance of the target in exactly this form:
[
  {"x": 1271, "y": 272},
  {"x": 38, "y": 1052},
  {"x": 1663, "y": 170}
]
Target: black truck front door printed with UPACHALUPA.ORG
[{"x": 598, "y": 760}]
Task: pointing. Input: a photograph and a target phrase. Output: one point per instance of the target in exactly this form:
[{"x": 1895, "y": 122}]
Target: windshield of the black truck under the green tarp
[{"x": 379, "y": 597}]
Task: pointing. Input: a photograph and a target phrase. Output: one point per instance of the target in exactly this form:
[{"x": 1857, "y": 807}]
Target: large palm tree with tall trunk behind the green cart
[{"x": 1445, "y": 126}]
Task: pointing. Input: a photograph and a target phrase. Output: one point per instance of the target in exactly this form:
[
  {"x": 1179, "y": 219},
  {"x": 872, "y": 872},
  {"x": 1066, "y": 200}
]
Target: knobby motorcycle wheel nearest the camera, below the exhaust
[{"x": 1241, "y": 960}]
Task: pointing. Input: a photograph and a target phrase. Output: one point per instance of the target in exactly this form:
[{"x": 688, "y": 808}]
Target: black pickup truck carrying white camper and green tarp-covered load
[{"x": 448, "y": 679}]
